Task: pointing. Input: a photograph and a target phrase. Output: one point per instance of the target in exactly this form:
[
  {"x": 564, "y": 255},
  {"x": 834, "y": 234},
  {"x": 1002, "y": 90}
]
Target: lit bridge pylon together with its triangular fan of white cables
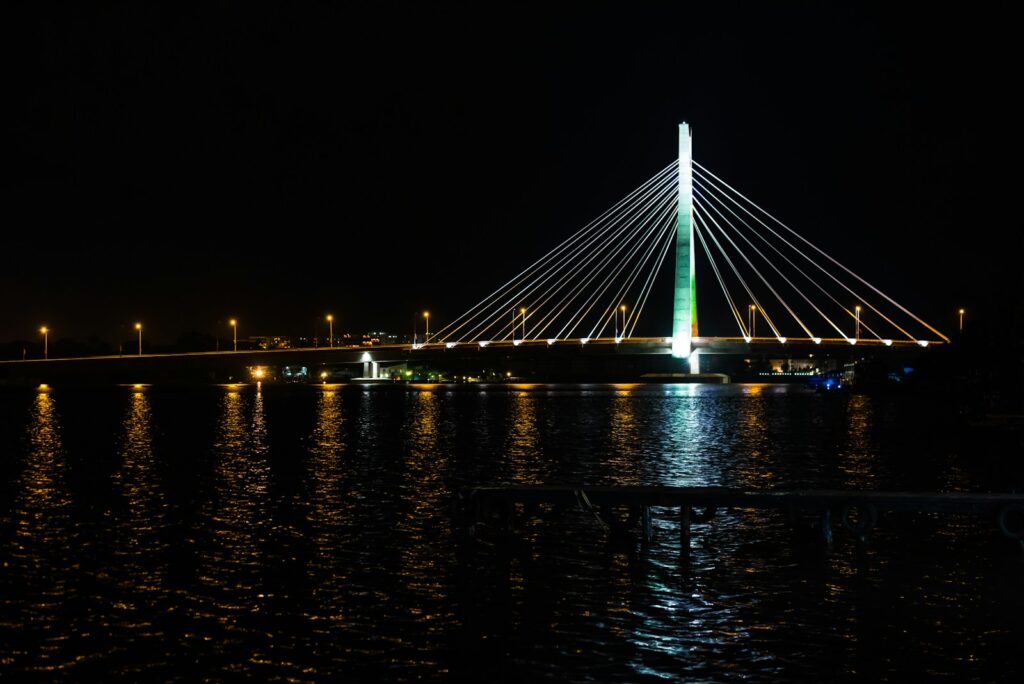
[{"x": 778, "y": 285}]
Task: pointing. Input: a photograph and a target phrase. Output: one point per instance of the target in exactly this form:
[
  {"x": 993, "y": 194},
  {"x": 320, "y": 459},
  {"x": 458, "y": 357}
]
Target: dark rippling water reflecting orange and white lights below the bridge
[{"x": 306, "y": 535}]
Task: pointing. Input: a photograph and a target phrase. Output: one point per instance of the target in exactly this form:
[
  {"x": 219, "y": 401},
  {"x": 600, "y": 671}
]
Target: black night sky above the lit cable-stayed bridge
[{"x": 276, "y": 162}]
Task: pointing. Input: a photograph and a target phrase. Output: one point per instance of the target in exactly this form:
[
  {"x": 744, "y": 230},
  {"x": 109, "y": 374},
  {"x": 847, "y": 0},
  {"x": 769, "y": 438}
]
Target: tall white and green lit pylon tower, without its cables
[{"x": 685, "y": 313}]
